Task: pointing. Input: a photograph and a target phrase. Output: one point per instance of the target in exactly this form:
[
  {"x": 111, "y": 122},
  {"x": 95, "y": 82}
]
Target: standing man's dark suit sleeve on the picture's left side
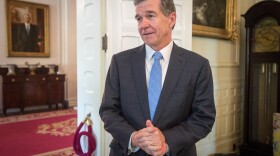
[{"x": 110, "y": 110}]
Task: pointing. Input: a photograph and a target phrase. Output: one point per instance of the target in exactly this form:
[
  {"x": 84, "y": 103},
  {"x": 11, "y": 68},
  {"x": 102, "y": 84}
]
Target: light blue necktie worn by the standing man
[{"x": 154, "y": 88}]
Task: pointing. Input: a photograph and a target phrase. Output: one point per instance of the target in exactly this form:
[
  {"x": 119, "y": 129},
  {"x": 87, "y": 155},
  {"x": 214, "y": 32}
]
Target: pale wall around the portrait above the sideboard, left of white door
[{"x": 62, "y": 43}]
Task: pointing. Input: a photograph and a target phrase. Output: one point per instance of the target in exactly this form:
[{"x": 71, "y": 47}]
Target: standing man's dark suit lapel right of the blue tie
[{"x": 174, "y": 70}]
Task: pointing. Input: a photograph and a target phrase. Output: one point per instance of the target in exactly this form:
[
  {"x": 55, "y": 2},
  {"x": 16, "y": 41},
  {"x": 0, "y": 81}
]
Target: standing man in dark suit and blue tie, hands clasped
[{"x": 185, "y": 111}]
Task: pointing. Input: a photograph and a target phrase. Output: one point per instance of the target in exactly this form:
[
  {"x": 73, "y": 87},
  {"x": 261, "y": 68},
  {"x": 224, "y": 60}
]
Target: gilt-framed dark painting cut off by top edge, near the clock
[{"x": 214, "y": 18}]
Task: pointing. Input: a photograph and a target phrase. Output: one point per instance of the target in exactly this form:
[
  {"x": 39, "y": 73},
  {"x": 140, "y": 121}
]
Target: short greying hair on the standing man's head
[{"x": 166, "y": 6}]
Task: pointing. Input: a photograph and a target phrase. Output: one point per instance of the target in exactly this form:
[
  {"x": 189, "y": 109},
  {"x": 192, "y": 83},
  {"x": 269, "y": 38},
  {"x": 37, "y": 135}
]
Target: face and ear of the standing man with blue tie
[{"x": 154, "y": 28}]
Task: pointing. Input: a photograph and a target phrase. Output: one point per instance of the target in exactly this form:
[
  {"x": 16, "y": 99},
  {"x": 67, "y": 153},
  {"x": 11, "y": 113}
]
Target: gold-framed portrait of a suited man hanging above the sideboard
[{"x": 27, "y": 29}]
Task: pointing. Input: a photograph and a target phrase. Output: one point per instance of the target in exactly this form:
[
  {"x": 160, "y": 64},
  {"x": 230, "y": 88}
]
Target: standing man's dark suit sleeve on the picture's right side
[{"x": 201, "y": 120}]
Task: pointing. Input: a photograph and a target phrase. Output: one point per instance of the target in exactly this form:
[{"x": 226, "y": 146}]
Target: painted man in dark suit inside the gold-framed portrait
[{"x": 27, "y": 37}]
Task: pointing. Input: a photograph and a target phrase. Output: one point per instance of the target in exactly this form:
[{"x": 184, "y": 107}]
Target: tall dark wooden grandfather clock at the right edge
[{"x": 262, "y": 77}]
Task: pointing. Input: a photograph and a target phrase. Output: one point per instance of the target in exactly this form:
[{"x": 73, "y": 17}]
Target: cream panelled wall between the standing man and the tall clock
[{"x": 227, "y": 61}]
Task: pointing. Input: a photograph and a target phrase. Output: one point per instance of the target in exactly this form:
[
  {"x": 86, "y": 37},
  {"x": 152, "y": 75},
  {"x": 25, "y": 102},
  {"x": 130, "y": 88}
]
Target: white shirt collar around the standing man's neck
[{"x": 166, "y": 51}]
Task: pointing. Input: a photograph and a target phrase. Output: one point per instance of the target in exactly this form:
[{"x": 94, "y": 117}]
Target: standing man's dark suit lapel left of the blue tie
[{"x": 139, "y": 76}]
